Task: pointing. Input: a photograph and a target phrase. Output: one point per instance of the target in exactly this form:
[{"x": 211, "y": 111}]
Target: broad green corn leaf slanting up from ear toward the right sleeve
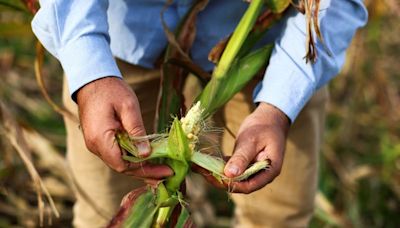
[{"x": 219, "y": 90}]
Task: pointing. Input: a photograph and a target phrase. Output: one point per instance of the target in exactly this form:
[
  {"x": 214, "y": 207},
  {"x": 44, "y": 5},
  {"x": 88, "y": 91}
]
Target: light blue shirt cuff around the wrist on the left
[{"x": 86, "y": 59}]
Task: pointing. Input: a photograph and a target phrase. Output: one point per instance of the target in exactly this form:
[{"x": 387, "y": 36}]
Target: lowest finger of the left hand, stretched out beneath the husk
[{"x": 150, "y": 171}]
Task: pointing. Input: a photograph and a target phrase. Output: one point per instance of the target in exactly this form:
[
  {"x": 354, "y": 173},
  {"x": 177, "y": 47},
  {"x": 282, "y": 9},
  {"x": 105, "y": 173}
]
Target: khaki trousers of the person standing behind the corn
[{"x": 287, "y": 202}]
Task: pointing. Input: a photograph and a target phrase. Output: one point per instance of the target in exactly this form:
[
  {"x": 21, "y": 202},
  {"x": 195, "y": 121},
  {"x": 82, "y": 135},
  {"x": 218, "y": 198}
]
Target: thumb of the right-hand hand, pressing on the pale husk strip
[{"x": 244, "y": 152}]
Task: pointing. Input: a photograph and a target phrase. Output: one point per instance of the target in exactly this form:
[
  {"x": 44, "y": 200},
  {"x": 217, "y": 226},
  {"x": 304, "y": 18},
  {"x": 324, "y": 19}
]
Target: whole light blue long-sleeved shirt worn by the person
[{"x": 85, "y": 35}]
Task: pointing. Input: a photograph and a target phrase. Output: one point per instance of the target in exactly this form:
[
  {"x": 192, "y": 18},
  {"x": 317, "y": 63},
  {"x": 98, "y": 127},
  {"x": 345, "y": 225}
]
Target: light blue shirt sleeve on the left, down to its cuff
[{"x": 76, "y": 32}]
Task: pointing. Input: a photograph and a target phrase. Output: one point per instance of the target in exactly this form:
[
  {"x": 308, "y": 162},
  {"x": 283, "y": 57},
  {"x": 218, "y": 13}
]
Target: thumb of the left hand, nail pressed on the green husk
[{"x": 131, "y": 120}]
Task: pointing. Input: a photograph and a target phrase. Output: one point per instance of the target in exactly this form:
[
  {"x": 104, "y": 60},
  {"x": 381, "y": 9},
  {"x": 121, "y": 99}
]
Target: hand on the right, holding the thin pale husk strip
[{"x": 261, "y": 136}]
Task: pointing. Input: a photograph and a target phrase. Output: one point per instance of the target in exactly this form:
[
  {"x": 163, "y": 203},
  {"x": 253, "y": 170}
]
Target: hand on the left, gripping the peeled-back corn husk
[{"x": 109, "y": 104}]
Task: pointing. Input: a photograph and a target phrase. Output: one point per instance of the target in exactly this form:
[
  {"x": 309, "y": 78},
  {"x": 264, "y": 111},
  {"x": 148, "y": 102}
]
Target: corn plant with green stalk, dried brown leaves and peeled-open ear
[{"x": 237, "y": 63}]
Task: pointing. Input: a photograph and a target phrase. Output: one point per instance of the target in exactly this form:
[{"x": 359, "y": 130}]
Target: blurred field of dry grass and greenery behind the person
[{"x": 360, "y": 160}]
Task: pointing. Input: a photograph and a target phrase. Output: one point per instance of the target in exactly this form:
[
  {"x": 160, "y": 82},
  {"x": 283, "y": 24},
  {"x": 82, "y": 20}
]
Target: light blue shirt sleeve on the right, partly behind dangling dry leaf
[{"x": 289, "y": 82}]
